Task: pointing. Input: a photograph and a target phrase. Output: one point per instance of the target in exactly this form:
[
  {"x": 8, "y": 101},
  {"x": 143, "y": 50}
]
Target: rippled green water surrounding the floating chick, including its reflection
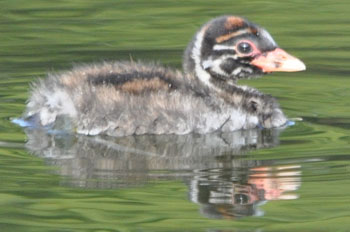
[{"x": 296, "y": 179}]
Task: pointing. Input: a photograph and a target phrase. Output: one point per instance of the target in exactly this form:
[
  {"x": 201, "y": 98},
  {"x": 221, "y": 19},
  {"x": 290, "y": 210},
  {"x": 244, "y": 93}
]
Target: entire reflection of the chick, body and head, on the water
[{"x": 214, "y": 166}]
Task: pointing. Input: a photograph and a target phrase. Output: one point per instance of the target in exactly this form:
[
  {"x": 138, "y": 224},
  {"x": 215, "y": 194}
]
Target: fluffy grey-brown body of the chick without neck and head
[{"x": 124, "y": 98}]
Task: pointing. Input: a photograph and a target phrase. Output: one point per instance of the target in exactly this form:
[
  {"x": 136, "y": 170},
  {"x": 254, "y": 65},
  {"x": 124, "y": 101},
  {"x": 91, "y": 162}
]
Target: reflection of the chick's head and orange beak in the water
[{"x": 239, "y": 192}]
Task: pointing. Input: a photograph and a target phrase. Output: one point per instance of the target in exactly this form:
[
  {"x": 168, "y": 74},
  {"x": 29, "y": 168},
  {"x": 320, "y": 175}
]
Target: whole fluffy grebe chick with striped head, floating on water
[{"x": 126, "y": 98}]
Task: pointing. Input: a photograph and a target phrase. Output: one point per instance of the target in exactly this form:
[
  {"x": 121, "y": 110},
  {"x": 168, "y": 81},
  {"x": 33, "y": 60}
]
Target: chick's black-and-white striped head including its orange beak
[{"x": 229, "y": 48}]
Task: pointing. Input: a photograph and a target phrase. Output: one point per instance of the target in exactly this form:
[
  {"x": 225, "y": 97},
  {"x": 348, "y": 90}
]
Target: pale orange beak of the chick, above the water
[{"x": 278, "y": 61}]
